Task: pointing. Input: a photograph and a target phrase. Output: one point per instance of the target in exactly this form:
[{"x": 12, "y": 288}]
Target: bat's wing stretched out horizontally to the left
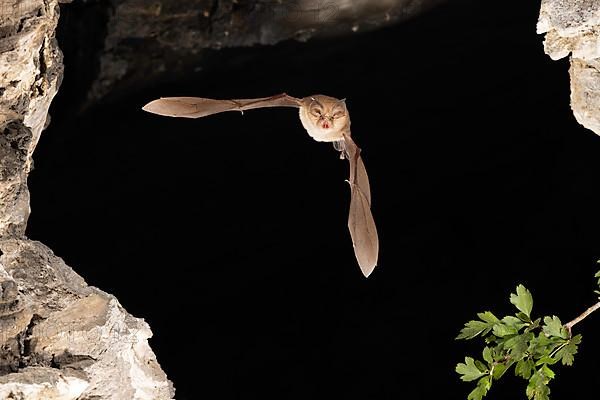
[{"x": 196, "y": 107}]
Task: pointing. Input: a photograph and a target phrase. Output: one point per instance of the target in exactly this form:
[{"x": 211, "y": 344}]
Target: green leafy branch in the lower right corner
[{"x": 532, "y": 346}]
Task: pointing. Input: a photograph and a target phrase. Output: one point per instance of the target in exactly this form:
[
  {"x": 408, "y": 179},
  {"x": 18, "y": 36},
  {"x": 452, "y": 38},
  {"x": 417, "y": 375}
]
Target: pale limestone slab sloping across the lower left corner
[{"x": 63, "y": 339}]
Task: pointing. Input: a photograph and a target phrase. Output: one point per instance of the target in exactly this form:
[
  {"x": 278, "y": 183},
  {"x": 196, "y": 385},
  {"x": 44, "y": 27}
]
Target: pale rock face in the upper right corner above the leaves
[{"x": 573, "y": 27}]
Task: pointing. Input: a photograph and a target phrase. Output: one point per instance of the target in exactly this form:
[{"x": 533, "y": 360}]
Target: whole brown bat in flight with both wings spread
[{"x": 326, "y": 119}]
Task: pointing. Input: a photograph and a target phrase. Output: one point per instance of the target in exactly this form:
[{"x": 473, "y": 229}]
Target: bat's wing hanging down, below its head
[{"x": 360, "y": 221}]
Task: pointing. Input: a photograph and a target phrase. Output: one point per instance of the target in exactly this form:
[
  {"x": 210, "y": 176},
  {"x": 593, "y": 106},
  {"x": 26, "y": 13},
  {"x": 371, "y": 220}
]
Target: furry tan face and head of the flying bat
[{"x": 324, "y": 118}]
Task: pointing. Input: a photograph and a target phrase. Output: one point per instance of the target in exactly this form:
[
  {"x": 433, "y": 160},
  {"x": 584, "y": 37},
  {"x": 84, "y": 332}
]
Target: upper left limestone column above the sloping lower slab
[{"x": 30, "y": 73}]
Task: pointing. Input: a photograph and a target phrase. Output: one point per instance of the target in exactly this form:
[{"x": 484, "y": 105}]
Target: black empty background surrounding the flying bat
[{"x": 228, "y": 234}]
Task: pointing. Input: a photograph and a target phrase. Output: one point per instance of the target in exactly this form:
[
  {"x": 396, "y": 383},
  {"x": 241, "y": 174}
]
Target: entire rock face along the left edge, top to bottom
[{"x": 59, "y": 338}]
